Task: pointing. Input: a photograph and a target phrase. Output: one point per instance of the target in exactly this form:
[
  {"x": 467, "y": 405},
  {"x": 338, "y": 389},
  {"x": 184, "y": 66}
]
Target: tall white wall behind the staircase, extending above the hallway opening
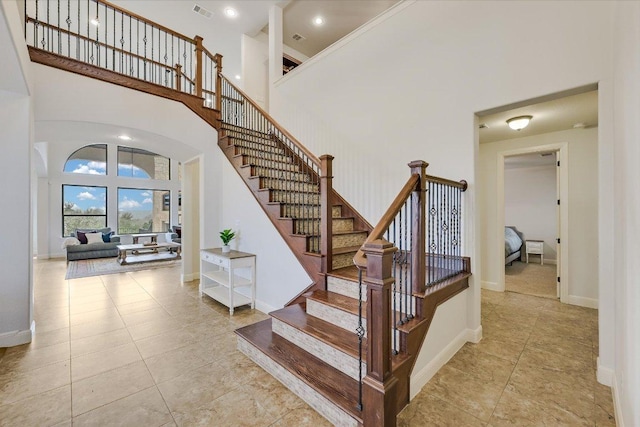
[{"x": 407, "y": 86}]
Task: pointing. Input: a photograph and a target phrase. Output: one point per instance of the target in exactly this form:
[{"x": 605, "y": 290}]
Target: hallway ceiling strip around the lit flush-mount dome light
[{"x": 548, "y": 116}]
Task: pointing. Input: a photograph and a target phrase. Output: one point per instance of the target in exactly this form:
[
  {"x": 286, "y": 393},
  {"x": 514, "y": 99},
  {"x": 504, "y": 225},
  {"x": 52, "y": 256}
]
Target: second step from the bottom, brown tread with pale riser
[{"x": 331, "y": 343}]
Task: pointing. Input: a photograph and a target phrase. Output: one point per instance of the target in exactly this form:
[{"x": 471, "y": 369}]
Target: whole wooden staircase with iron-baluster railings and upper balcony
[{"x": 348, "y": 342}]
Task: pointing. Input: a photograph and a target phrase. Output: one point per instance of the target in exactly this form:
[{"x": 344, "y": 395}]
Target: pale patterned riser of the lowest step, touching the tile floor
[{"x": 323, "y": 406}]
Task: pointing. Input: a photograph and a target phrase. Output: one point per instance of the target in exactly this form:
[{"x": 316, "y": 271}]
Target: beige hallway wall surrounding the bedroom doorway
[{"x": 582, "y": 164}]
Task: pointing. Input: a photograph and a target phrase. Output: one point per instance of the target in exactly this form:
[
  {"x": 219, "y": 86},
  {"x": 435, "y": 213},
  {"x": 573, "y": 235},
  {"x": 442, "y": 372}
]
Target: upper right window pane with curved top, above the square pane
[{"x": 137, "y": 163}]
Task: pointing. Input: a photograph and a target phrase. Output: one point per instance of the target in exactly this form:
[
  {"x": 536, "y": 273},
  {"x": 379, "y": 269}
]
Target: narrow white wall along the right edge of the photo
[{"x": 623, "y": 299}]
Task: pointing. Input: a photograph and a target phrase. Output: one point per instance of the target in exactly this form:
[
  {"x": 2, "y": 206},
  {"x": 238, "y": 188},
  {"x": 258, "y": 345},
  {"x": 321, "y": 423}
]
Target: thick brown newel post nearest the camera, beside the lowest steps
[{"x": 379, "y": 386}]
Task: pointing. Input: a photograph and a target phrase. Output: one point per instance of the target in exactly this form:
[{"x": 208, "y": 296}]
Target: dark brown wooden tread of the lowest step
[{"x": 334, "y": 385}]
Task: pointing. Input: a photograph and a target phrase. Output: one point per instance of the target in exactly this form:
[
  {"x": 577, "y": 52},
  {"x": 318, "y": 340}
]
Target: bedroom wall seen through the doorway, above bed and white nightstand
[{"x": 530, "y": 205}]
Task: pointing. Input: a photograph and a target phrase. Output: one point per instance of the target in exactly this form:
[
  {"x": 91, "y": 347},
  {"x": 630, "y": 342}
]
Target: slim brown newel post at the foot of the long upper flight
[{"x": 326, "y": 217}]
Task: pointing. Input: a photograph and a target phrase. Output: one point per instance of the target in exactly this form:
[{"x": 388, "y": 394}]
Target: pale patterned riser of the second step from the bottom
[{"x": 329, "y": 354}]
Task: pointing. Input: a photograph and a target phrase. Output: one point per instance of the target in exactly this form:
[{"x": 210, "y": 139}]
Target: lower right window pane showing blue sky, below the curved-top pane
[{"x": 143, "y": 211}]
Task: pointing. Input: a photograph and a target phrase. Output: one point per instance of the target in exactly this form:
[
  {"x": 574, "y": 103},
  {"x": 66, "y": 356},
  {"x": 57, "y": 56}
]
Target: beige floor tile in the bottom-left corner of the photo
[{"x": 45, "y": 409}]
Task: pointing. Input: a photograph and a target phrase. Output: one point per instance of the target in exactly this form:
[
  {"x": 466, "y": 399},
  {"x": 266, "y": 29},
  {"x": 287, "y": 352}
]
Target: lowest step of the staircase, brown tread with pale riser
[{"x": 330, "y": 392}]
